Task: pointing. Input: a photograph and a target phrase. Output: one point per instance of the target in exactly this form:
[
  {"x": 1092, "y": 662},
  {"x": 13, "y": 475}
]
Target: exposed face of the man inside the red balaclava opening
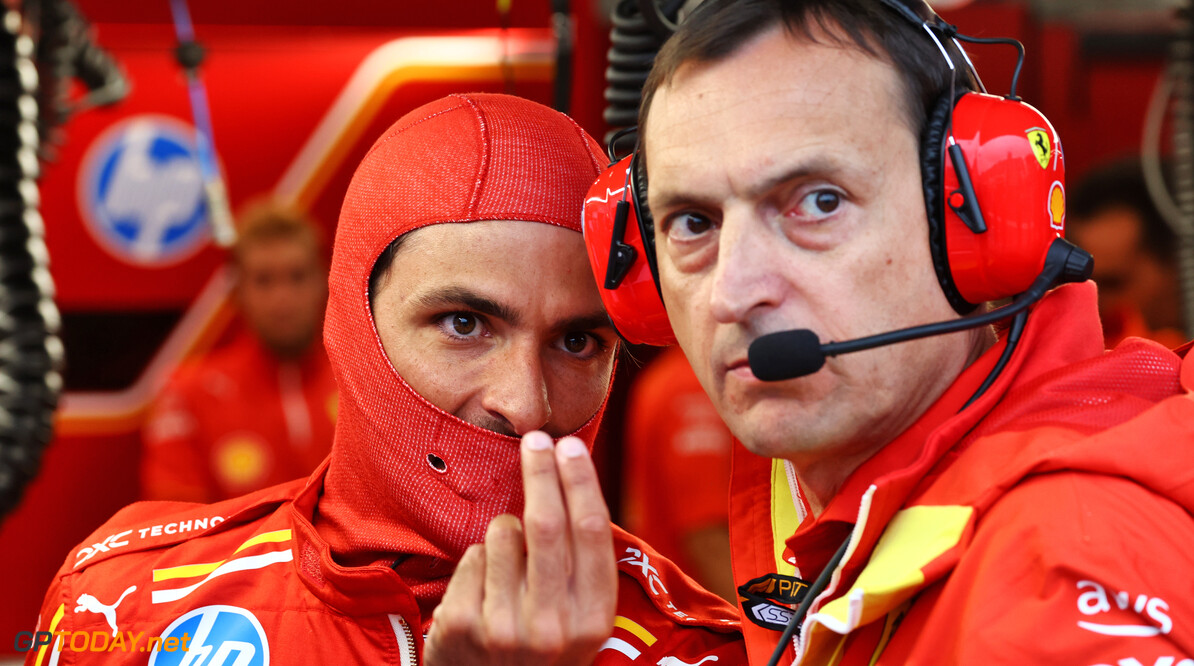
[{"x": 498, "y": 324}]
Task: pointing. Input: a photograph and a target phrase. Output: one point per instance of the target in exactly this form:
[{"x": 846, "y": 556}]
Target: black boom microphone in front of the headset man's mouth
[{"x": 789, "y": 355}]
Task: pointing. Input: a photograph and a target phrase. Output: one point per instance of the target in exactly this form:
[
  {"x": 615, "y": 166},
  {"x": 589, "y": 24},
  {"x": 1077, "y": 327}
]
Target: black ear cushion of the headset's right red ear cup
[{"x": 933, "y": 164}]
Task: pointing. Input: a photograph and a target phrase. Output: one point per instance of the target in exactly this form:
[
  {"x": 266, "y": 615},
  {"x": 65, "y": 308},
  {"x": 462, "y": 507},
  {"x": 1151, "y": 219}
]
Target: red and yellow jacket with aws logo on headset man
[{"x": 1048, "y": 523}]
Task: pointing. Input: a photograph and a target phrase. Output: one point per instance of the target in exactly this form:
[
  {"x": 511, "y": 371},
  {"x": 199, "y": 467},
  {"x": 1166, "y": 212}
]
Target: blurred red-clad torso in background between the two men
[{"x": 676, "y": 474}]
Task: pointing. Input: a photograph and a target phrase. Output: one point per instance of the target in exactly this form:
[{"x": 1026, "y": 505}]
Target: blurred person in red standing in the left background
[{"x": 261, "y": 410}]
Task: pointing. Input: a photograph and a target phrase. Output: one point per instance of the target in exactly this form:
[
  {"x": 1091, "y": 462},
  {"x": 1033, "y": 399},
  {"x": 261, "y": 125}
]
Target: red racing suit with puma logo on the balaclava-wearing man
[{"x": 249, "y": 582}]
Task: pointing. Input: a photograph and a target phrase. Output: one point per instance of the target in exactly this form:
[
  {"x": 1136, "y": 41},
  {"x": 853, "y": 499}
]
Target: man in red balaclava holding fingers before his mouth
[{"x": 461, "y": 316}]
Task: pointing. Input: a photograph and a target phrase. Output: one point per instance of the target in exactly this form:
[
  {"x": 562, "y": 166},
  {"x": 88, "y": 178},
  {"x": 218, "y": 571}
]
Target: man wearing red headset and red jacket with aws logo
[{"x": 982, "y": 497}]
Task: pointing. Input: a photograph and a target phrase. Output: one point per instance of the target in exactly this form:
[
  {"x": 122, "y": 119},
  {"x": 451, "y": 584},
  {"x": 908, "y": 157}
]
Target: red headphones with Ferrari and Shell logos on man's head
[{"x": 994, "y": 177}]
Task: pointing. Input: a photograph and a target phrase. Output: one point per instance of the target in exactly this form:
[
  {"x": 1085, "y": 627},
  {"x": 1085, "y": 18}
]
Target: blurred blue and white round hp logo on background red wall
[{"x": 141, "y": 192}]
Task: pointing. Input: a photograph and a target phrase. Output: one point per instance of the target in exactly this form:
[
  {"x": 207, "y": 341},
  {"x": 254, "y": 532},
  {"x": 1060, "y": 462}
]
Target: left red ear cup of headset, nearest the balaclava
[{"x": 631, "y": 292}]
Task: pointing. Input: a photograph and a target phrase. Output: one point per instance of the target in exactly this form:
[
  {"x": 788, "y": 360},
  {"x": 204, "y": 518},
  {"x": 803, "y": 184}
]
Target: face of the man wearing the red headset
[{"x": 786, "y": 193}]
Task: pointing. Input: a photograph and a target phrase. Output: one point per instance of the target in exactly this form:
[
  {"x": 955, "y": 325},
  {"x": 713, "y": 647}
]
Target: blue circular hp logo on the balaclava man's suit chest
[{"x": 216, "y": 637}]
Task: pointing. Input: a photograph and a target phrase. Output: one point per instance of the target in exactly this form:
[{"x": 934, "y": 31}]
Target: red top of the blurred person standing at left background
[{"x": 238, "y": 421}]
